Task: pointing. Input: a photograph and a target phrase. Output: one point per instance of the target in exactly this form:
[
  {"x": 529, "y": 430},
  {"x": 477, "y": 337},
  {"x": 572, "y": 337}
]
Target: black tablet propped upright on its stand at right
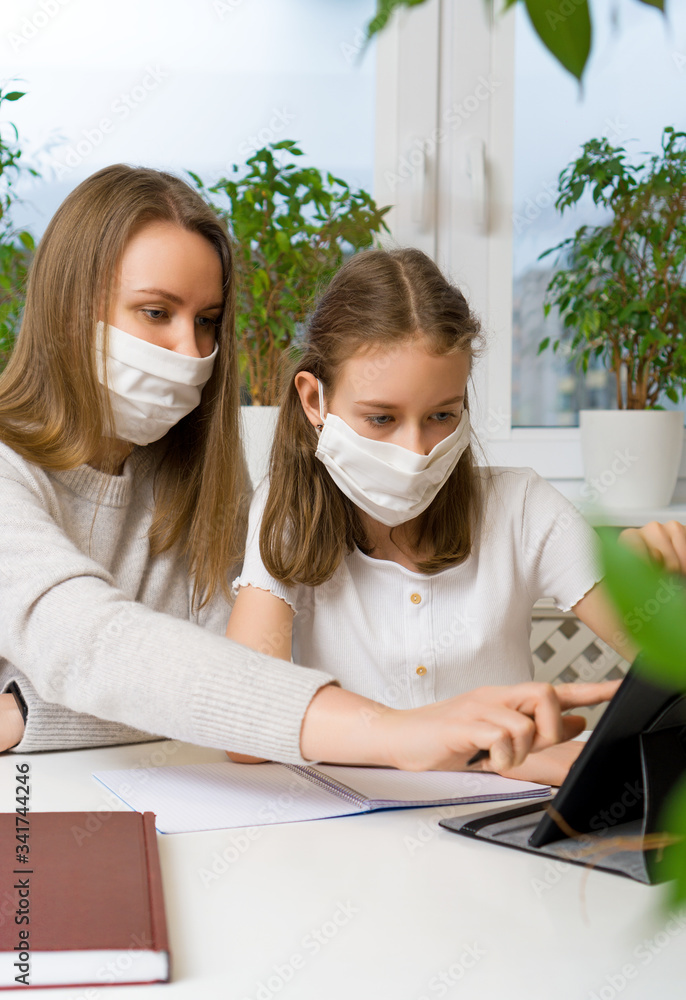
[{"x": 639, "y": 744}]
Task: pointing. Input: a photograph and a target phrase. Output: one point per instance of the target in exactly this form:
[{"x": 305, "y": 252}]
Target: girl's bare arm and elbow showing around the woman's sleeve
[{"x": 264, "y": 622}]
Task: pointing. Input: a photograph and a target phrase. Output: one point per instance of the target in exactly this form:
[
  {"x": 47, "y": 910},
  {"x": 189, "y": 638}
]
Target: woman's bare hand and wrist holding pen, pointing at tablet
[{"x": 508, "y": 721}]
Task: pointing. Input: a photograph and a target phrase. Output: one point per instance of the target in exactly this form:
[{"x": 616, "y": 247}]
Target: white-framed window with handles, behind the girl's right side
[{"x": 475, "y": 120}]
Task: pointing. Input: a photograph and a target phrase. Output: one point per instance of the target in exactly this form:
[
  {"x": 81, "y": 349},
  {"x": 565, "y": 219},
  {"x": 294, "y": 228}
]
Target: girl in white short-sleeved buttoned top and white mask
[{"x": 378, "y": 548}]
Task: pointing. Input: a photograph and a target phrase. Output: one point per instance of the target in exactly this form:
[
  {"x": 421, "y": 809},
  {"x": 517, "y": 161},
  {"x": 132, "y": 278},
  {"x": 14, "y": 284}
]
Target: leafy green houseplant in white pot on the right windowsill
[{"x": 620, "y": 288}]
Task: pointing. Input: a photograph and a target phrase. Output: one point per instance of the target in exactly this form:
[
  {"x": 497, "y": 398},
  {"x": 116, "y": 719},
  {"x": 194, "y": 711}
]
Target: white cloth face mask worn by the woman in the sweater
[{"x": 150, "y": 387}]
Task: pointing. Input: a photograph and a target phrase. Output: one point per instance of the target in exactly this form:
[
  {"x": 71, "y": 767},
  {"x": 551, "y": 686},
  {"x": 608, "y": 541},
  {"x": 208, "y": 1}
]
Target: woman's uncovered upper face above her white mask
[{"x": 168, "y": 290}]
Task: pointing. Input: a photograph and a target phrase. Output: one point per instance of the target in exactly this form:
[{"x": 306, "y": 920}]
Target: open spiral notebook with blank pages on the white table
[{"x": 217, "y": 796}]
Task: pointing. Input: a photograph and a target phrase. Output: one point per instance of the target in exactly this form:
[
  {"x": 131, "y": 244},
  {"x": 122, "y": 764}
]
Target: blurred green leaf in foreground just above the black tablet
[{"x": 652, "y": 604}]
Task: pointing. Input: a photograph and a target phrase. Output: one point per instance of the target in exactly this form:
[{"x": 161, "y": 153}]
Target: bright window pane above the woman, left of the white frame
[{"x": 179, "y": 85}]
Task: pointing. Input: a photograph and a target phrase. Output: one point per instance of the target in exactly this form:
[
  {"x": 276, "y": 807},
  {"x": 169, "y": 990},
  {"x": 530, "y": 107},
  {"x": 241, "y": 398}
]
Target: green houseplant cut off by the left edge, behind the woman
[{"x": 16, "y": 245}]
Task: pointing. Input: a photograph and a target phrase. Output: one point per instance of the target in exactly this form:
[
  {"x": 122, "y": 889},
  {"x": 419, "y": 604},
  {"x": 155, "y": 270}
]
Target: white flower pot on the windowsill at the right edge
[{"x": 631, "y": 457}]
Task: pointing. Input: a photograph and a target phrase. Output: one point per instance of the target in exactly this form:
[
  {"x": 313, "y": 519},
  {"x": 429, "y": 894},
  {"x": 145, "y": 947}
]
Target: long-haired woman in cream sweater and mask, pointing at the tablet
[{"x": 122, "y": 492}]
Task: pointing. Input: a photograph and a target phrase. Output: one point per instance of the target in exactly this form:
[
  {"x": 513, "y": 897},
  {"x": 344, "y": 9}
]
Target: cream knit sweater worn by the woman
[{"x": 101, "y": 638}]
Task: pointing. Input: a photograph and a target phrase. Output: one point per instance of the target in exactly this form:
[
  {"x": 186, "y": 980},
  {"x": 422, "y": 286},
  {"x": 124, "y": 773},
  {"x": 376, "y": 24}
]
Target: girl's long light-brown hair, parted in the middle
[{"x": 378, "y": 298}]
